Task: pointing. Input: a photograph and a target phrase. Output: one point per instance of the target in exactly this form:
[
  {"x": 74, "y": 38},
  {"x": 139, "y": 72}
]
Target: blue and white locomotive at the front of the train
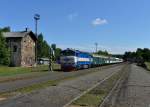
[{"x": 75, "y": 59}]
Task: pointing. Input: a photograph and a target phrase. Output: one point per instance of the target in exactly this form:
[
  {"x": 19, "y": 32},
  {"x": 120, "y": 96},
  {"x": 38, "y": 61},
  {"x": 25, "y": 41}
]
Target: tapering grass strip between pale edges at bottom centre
[{"x": 96, "y": 96}]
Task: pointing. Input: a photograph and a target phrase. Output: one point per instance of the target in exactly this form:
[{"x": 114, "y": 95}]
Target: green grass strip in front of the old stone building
[{"x": 11, "y": 71}]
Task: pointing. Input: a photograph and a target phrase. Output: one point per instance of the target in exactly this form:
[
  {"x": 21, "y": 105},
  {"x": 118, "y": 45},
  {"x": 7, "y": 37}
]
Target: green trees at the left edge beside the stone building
[{"x": 4, "y": 51}]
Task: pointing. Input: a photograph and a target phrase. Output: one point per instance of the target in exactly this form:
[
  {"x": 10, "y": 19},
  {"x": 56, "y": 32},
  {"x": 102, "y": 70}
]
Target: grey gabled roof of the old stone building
[{"x": 19, "y": 34}]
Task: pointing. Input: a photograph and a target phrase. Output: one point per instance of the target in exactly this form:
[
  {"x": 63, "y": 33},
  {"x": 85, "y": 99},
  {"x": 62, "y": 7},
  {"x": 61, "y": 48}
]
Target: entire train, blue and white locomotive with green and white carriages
[{"x": 71, "y": 59}]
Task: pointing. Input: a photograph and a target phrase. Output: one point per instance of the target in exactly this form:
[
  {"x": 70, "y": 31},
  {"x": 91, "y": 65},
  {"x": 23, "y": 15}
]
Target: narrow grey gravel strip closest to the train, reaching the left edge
[{"x": 13, "y": 85}]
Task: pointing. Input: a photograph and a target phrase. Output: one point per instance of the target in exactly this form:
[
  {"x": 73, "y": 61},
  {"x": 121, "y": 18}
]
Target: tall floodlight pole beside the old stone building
[{"x": 36, "y": 18}]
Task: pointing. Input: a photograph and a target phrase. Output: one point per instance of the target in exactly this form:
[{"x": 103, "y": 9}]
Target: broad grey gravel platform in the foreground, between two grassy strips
[{"x": 57, "y": 96}]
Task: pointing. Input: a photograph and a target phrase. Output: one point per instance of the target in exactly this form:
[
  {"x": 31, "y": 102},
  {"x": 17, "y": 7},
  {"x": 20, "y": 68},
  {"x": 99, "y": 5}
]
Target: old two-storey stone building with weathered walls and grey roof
[{"x": 22, "y": 47}]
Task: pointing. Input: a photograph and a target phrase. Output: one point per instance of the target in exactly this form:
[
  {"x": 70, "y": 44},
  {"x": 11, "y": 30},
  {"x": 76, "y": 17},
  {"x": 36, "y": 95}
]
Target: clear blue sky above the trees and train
[{"x": 116, "y": 25}]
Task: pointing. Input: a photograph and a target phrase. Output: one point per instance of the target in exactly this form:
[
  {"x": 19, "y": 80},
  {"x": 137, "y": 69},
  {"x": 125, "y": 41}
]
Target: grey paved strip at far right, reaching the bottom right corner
[{"x": 135, "y": 90}]
